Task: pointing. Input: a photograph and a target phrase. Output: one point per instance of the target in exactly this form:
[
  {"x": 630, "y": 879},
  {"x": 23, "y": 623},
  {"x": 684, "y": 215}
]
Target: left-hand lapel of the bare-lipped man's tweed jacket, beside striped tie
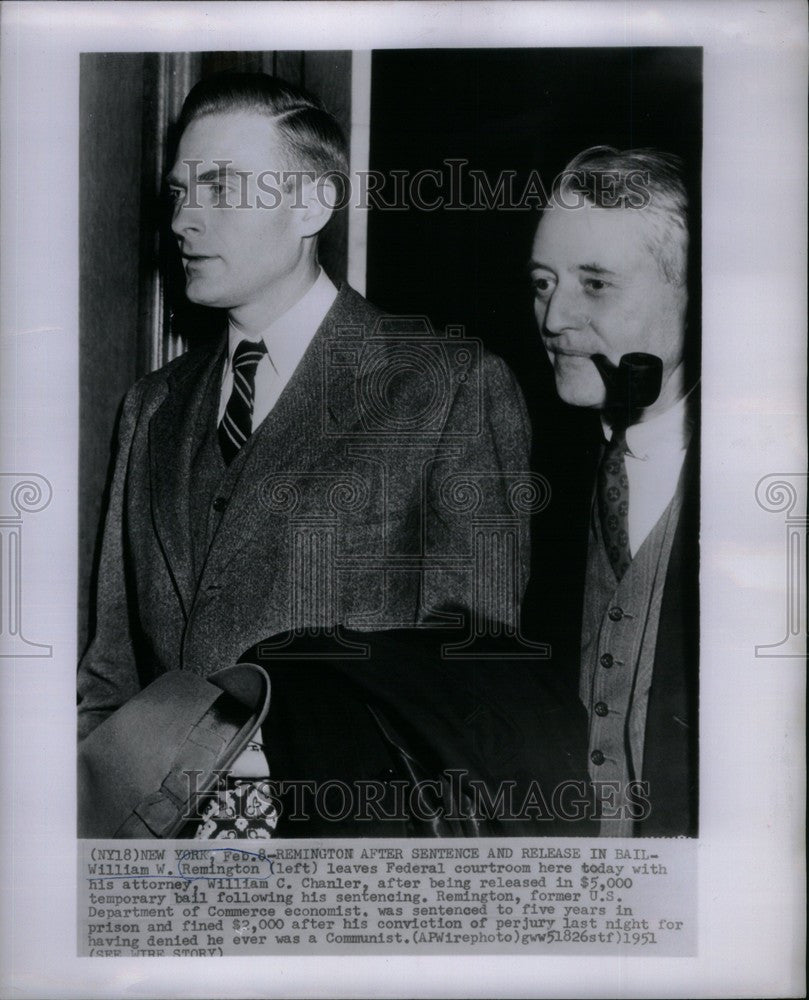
[{"x": 173, "y": 436}]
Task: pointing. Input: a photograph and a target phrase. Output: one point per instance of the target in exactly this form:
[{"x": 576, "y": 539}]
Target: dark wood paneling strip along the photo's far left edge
[{"x": 110, "y": 109}]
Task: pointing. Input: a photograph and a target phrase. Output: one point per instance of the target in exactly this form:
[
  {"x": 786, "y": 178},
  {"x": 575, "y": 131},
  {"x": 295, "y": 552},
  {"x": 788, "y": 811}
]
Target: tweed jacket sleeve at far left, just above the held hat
[{"x": 107, "y": 675}]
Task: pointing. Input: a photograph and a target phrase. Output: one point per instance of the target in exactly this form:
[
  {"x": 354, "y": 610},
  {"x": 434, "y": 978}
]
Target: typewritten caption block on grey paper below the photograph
[{"x": 166, "y": 898}]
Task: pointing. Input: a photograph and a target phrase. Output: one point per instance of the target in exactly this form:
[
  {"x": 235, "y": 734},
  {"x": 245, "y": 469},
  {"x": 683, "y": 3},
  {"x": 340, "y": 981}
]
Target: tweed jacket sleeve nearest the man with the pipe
[{"x": 477, "y": 516}]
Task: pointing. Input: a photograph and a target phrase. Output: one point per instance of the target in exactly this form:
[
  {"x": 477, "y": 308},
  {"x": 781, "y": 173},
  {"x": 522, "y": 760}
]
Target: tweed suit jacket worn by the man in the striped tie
[{"x": 354, "y": 503}]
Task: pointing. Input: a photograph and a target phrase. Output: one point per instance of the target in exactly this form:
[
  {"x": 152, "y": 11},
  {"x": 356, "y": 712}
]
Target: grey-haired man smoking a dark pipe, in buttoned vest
[{"x": 609, "y": 271}]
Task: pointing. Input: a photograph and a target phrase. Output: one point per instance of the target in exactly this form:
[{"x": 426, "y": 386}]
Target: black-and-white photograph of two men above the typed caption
[{"x": 368, "y": 468}]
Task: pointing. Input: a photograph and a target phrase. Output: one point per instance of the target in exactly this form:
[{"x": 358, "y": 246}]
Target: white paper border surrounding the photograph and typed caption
[{"x": 751, "y": 867}]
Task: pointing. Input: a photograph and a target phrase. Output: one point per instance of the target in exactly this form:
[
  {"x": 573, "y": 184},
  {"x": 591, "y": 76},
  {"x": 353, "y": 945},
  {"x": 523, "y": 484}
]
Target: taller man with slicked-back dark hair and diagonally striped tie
[{"x": 306, "y": 472}]
